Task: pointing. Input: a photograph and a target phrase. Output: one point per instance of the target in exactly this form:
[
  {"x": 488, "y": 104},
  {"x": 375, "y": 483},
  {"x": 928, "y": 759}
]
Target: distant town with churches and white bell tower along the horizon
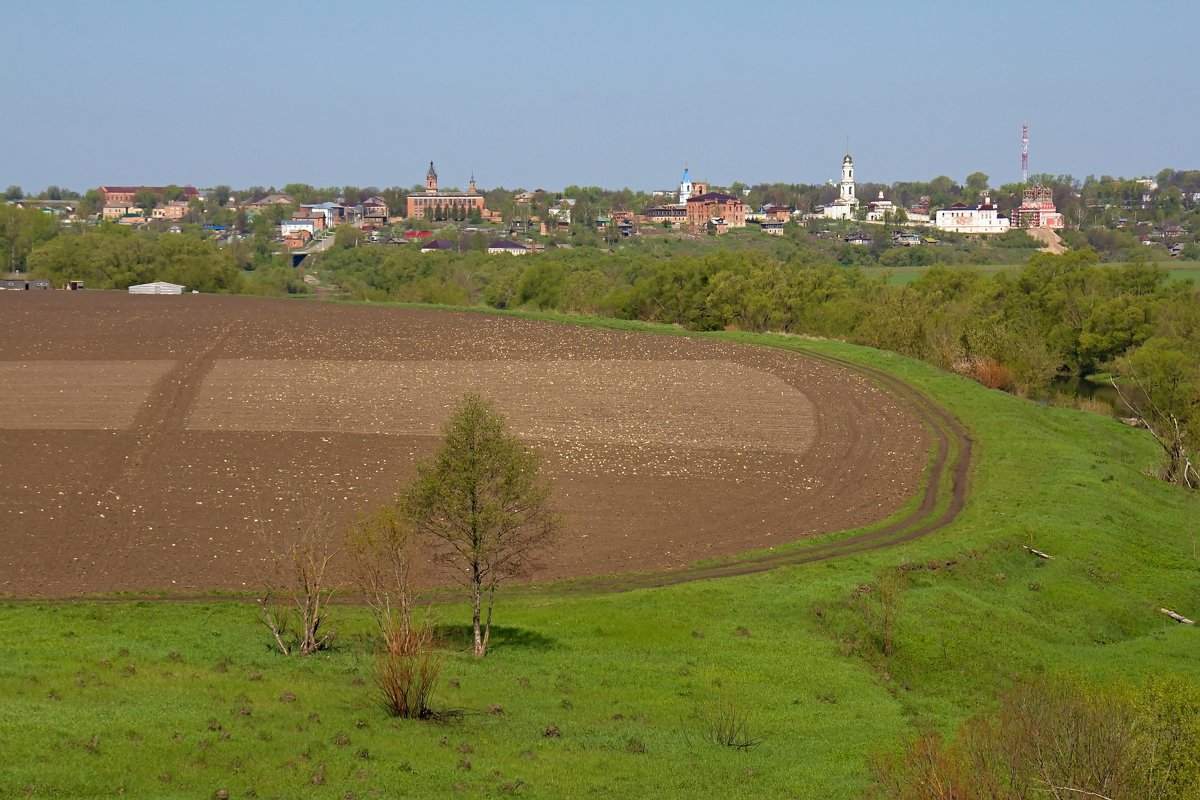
[{"x": 1156, "y": 210}]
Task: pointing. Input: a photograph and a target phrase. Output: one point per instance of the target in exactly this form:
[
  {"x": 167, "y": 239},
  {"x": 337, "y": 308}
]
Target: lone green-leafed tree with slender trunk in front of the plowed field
[{"x": 484, "y": 507}]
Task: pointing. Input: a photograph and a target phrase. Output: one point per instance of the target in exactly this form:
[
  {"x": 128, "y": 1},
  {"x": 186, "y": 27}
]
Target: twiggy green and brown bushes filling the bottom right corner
[{"x": 1059, "y": 741}]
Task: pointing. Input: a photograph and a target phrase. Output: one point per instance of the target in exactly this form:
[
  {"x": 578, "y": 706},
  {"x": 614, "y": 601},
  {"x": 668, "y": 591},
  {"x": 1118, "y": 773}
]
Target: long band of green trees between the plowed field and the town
[{"x": 1059, "y": 316}]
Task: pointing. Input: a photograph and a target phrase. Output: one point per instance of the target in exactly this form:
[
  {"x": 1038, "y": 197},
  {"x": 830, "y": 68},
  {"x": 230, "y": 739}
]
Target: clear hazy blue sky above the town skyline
[{"x": 550, "y": 94}]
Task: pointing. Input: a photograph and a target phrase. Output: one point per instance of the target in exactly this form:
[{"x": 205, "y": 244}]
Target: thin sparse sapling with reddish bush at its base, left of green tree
[{"x": 407, "y": 664}]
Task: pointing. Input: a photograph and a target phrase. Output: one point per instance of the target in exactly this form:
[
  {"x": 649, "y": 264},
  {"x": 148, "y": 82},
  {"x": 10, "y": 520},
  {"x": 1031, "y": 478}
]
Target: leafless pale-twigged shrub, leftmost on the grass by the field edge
[{"x": 295, "y": 607}]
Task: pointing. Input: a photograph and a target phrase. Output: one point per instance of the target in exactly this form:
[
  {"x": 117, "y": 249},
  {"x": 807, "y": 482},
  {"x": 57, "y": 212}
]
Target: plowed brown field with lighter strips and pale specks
[{"x": 170, "y": 443}]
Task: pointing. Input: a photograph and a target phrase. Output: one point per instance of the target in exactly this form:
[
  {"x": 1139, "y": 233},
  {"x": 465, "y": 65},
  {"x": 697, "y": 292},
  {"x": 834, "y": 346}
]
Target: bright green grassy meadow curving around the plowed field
[{"x": 620, "y": 695}]
